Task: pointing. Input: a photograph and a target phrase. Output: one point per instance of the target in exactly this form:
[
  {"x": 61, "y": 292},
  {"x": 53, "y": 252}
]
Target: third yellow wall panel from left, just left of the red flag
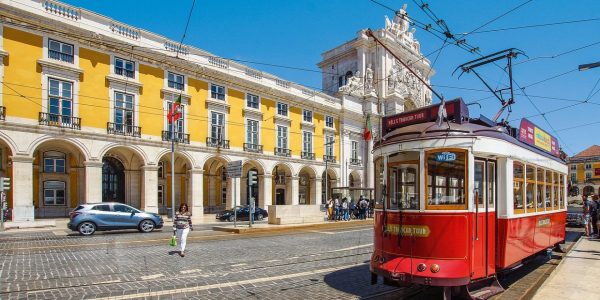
[{"x": 151, "y": 101}]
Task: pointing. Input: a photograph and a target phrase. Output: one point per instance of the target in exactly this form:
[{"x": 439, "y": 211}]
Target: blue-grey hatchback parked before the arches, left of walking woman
[{"x": 88, "y": 218}]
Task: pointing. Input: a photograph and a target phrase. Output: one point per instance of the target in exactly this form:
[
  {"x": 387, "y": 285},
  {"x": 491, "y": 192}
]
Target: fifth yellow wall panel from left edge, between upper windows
[{"x": 235, "y": 122}]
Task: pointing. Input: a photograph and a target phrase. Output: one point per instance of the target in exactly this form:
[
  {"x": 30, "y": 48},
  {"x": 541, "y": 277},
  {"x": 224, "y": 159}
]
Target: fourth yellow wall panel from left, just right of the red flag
[{"x": 197, "y": 115}]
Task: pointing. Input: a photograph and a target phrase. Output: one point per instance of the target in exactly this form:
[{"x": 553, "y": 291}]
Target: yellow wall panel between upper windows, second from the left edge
[{"x": 93, "y": 88}]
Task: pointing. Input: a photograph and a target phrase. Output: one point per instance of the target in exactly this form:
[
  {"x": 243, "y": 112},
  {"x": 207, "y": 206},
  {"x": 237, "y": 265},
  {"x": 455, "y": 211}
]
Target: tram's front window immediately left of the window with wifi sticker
[{"x": 404, "y": 186}]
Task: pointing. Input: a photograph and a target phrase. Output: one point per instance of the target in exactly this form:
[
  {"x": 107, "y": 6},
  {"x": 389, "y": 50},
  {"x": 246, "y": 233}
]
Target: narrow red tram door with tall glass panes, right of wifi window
[{"x": 484, "y": 220}]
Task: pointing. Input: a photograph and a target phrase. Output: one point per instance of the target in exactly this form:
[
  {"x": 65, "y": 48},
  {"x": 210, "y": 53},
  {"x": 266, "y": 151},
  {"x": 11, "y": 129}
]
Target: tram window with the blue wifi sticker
[{"x": 446, "y": 173}]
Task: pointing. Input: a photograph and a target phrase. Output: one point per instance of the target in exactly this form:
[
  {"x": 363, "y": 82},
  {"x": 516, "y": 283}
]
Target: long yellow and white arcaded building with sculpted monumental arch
[{"x": 84, "y": 102}]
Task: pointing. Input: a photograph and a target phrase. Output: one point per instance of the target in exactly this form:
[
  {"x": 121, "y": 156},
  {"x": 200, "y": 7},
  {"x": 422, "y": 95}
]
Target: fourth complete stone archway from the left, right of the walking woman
[{"x": 216, "y": 183}]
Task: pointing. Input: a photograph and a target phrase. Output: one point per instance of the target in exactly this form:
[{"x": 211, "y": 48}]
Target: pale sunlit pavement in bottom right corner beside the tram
[{"x": 577, "y": 275}]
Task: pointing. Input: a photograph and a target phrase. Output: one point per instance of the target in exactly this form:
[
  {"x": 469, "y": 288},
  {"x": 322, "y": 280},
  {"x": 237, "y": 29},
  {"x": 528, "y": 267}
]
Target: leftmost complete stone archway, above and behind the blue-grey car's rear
[{"x": 58, "y": 177}]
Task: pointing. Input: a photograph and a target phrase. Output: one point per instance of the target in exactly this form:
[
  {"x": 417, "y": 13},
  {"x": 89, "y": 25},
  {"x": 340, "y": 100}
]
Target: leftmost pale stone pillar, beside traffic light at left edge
[{"x": 22, "y": 185}]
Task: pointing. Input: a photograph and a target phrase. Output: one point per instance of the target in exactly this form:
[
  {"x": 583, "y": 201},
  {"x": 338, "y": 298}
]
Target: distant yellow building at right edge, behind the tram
[{"x": 584, "y": 172}]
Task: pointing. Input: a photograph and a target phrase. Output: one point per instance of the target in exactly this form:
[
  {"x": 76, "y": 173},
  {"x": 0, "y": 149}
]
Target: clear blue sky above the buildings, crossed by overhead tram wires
[{"x": 295, "y": 33}]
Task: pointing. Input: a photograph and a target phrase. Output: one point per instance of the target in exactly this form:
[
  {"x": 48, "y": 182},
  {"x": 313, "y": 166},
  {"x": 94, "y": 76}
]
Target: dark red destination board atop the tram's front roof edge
[{"x": 456, "y": 110}]
